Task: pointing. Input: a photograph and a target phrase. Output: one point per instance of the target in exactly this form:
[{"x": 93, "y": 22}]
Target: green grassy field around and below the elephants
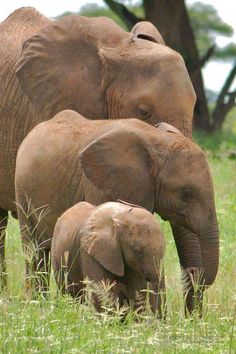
[{"x": 59, "y": 325}]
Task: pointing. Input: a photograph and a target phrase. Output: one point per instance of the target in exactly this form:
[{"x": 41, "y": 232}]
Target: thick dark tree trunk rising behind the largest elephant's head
[{"x": 171, "y": 18}]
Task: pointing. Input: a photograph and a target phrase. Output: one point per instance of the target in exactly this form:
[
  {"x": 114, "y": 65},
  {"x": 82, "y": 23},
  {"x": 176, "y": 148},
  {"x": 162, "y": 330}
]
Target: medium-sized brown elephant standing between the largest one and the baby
[{"x": 76, "y": 159}]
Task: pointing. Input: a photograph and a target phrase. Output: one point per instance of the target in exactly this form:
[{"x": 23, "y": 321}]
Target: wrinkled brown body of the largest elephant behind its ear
[{"x": 17, "y": 114}]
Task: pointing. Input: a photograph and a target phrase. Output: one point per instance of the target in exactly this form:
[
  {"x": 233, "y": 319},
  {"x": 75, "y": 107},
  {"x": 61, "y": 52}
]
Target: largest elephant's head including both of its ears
[{"x": 97, "y": 69}]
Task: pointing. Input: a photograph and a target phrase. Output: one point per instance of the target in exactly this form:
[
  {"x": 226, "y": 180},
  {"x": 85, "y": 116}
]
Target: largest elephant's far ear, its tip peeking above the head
[{"x": 146, "y": 30}]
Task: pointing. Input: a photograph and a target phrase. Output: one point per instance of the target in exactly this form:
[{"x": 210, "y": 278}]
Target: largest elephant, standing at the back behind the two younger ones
[{"x": 89, "y": 65}]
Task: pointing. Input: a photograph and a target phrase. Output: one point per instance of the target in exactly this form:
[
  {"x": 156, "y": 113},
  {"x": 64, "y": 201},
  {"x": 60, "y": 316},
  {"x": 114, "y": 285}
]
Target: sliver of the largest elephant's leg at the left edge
[{"x": 3, "y": 225}]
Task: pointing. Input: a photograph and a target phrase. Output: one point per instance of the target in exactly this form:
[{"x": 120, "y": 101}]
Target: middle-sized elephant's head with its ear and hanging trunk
[{"x": 165, "y": 172}]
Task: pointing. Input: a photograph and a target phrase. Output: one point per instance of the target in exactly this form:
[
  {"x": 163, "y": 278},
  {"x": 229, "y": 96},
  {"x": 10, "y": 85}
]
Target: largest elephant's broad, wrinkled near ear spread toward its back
[{"x": 59, "y": 67}]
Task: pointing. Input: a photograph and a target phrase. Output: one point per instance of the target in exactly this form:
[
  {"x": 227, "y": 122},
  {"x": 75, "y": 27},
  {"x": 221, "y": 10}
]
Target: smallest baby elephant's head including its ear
[{"x": 123, "y": 236}]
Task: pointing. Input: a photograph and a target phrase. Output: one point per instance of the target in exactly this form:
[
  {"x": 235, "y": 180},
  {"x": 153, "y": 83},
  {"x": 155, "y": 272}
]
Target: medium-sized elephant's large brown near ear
[{"x": 119, "y": 164}]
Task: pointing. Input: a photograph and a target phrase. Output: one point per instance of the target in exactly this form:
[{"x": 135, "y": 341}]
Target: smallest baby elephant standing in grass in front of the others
[{"x": 116, "y": 242}]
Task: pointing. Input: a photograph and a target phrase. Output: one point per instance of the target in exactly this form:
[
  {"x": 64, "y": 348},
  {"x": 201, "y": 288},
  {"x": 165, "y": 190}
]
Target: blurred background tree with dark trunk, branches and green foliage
[{"x": 192, "y": 31}]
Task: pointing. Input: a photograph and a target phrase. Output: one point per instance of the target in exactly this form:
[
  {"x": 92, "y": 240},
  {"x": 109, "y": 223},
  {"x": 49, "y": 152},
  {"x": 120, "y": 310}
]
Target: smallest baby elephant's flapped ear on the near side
[{"x": 100, "y": 242}]
